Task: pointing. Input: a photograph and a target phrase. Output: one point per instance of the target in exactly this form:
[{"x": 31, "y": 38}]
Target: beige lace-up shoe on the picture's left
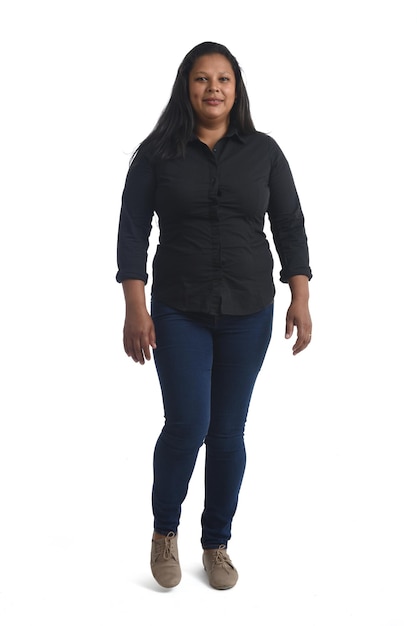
[{"x": 165, "y": 563}]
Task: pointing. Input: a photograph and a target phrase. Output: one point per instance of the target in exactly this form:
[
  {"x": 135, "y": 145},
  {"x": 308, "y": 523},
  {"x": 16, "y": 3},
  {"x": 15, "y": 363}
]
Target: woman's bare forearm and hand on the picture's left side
[{"x": 138, "y": 331}]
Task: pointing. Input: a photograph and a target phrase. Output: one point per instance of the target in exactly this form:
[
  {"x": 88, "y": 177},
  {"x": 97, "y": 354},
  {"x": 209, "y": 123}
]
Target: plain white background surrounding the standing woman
[{"x": 325, "y": 531}]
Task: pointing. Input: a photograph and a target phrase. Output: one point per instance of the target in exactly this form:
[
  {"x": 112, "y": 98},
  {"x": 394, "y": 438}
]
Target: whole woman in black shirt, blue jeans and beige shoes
[{"x": 211, "y": 178}]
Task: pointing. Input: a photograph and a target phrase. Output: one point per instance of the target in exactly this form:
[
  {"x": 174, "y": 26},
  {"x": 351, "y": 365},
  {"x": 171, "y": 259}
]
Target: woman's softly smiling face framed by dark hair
[{"x": 212, "y": 89}]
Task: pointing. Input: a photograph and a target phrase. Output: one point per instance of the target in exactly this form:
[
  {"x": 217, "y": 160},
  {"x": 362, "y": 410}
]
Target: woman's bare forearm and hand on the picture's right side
[{"x": 298, "y": 313}]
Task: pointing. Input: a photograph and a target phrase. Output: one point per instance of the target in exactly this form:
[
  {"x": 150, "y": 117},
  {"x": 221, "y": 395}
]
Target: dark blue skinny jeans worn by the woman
[{"x": 207, "y": 367}]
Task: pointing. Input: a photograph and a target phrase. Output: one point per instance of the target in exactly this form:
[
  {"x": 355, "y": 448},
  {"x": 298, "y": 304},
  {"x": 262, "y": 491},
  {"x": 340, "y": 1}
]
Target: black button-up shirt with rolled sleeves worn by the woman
[{"x": 213, "y": 255}]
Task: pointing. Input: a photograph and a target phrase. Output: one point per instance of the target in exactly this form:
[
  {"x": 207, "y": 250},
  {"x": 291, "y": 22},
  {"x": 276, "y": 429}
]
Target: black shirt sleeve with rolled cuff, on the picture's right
[{"x": 287, "y": 219}]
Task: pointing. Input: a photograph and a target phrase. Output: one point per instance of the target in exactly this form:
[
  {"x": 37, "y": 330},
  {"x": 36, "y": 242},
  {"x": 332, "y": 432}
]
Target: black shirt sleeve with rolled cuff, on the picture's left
[{"x": 135, "y": 221}]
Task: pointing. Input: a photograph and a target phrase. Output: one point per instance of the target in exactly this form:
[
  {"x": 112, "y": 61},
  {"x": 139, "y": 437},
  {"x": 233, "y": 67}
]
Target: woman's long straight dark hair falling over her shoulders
[{"x": 176, "y": 123}]
